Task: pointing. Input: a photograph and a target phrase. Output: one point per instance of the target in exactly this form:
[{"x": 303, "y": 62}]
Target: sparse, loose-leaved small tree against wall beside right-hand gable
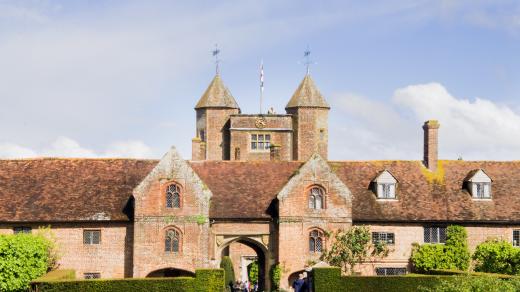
[{"x": 352, "y": 247}]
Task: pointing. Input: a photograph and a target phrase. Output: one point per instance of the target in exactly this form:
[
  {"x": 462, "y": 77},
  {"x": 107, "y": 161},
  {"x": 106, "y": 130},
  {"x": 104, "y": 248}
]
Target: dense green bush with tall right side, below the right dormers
[{"x": 454, "y": 254}]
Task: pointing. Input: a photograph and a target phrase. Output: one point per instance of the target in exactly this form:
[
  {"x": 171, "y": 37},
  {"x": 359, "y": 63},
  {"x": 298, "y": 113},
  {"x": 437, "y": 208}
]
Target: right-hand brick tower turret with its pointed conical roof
[{"x": 310, "y": 120}]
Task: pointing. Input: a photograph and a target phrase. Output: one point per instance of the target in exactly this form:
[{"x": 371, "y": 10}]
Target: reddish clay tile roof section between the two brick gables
[{"x": 244, "y": 189}]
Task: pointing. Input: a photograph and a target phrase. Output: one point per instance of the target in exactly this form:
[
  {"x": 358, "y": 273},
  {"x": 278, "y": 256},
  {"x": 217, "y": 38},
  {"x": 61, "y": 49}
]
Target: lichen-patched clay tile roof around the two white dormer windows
[{"x": 423, "y": 196}]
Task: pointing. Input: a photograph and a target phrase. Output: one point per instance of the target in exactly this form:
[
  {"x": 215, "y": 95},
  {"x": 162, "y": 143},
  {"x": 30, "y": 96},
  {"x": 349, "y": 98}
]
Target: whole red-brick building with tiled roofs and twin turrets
[{"x": 257, "y": 187}]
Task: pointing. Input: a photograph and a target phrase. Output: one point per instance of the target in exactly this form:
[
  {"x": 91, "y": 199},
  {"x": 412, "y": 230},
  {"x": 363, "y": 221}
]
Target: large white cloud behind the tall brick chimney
[{"x": 476, "y": 129}]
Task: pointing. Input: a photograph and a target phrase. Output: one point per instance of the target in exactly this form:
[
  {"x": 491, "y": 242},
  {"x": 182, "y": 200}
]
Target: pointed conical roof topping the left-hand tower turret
[{"x": 217, "y": 95}]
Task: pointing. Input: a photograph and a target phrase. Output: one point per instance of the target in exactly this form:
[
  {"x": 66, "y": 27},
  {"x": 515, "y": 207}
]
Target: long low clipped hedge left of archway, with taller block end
[{"x": 209, "y": 280}]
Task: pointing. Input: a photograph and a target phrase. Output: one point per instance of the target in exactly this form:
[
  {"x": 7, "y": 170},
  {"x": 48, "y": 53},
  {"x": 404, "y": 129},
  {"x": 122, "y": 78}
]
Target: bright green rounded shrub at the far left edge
[{"x": 23, "y": 257}]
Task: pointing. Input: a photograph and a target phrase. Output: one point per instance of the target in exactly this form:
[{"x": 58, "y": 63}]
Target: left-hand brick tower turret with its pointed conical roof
[{"x": 213, "y": 110}]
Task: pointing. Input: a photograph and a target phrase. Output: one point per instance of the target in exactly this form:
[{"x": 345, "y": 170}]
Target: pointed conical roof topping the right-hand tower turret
[{"x": 307, "y": 95}]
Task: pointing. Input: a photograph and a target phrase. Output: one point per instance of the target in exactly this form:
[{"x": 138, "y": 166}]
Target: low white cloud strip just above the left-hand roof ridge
[{"x": 66, "y": 147}]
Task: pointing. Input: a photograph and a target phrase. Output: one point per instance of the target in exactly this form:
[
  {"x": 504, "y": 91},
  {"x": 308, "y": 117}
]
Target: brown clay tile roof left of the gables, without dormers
[{"x": 68, "y": 189}]
